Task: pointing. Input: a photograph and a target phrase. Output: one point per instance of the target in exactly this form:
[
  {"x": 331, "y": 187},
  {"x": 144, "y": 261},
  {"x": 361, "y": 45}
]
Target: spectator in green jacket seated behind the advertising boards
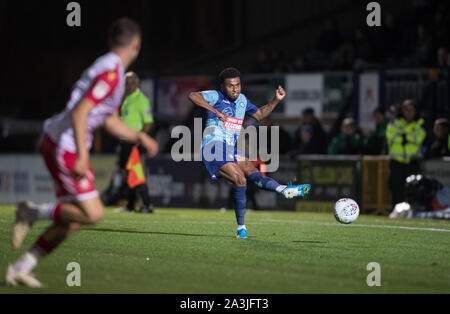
[{"x": 349, "y": 142}]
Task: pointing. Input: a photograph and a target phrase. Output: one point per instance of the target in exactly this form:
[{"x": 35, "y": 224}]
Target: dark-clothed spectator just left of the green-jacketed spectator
[{"x": 310, "y": 138}]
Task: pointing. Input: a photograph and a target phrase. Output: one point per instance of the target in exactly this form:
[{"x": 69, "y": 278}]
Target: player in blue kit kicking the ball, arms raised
[{"x": 226, "y": 111}]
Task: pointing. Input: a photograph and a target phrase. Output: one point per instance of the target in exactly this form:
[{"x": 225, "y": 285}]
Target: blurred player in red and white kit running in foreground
[{"x": 94, "y": 103}]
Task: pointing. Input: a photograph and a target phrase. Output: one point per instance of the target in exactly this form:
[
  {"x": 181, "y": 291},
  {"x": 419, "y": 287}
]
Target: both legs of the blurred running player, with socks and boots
[{"x": 68, "y": 219}]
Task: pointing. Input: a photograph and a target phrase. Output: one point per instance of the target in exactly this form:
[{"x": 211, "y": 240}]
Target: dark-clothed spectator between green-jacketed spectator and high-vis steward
[{"x": 375, "y": 141}]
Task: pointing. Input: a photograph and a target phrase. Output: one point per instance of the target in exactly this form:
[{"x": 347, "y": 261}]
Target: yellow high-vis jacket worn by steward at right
[{"x": 405, "y": 139}]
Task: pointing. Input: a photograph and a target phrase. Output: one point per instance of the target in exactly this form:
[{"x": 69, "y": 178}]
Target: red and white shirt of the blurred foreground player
[{"x": 104, "y": 84}]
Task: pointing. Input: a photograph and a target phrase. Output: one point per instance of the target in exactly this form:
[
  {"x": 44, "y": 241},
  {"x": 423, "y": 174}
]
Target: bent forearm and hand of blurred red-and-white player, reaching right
[{"x": 117, "y": 128}]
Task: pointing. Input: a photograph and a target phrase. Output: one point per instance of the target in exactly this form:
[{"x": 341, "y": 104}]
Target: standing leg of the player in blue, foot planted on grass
[{"x": 233, "y": 173}]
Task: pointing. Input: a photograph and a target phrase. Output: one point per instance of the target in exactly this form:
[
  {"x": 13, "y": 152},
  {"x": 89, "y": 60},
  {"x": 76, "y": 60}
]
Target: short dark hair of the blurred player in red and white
[{"x": 122, "y": 32}]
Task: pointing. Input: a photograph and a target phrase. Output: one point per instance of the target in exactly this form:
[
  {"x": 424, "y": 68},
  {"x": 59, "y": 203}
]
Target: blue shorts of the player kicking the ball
[{"x": 217, "y": 154}]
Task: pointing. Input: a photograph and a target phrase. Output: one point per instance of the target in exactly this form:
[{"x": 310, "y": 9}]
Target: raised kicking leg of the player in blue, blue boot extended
[{"x": 288, "y": 191}]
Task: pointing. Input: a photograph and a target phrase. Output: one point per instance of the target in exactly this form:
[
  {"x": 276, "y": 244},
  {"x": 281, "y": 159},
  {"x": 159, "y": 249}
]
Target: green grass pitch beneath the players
[{"x": 180, "y": 251}]
